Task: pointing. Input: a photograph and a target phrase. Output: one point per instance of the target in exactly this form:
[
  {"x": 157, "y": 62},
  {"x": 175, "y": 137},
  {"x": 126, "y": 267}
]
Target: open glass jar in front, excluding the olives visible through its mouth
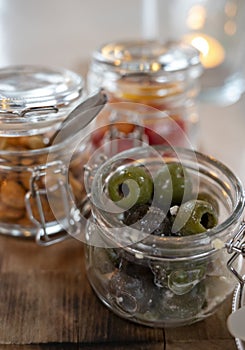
[{"x": 162, "y": 281}]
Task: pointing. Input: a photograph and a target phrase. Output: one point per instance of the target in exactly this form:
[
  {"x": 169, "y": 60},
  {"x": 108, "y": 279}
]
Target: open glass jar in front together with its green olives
[{"x": 163, "y": 223}]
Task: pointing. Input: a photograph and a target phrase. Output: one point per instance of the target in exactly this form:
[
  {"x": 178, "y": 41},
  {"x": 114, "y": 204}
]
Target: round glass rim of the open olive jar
[{"x": 201, "y": 243}]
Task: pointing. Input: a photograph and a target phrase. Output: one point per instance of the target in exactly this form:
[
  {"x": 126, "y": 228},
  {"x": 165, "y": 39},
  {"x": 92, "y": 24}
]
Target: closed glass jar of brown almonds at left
[{"x": 34, "y": 101}]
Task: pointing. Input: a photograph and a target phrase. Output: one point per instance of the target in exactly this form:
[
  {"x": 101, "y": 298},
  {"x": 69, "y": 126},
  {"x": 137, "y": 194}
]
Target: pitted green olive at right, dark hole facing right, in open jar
[{"x": 195, "y": 216}]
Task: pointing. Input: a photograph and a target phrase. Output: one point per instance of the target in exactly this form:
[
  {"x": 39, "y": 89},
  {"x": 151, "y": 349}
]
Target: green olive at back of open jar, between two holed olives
[{"x": 171, "y": 183}]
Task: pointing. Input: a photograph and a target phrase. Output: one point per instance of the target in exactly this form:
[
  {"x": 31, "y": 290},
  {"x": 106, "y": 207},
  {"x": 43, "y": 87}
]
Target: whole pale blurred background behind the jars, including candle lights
[{"x": 65, "y": 33}]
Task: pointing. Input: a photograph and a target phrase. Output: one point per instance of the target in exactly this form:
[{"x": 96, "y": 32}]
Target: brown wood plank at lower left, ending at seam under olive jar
[{"x": 45, "y": 297}]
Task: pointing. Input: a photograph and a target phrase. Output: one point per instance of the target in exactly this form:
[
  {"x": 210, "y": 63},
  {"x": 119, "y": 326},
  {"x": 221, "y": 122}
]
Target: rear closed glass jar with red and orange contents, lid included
[{"x": 152, "y": 89}]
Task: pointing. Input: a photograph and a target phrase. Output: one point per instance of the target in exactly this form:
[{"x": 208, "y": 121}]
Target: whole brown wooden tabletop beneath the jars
[{"x": 47, "y": 303}]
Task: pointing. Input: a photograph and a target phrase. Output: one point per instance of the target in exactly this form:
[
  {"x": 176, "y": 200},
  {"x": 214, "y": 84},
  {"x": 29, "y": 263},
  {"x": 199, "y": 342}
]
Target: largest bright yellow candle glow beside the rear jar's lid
[{"x": 212, "y": 53}]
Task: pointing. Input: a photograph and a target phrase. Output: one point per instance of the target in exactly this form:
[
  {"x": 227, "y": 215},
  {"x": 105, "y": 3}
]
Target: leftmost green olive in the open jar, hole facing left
[{"x": 130, "y": 186}]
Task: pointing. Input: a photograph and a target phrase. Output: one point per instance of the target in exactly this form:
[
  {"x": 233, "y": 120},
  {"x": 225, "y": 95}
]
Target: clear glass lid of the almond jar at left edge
[{"x": 33, "y": 97}]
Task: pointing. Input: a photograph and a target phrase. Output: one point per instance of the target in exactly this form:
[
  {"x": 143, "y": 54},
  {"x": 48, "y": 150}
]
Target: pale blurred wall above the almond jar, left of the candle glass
[{"x": 63, "y": 32}]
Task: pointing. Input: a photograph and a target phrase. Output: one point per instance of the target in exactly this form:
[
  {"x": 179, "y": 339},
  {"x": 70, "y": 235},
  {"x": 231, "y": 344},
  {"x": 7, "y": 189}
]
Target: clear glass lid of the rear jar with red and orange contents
[{"x": 149, "y": 57}]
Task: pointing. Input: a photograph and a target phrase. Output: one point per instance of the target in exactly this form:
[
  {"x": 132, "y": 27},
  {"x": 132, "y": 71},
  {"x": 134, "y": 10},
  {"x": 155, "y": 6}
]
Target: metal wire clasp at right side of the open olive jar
[{"x": 237, "y": 246}]
